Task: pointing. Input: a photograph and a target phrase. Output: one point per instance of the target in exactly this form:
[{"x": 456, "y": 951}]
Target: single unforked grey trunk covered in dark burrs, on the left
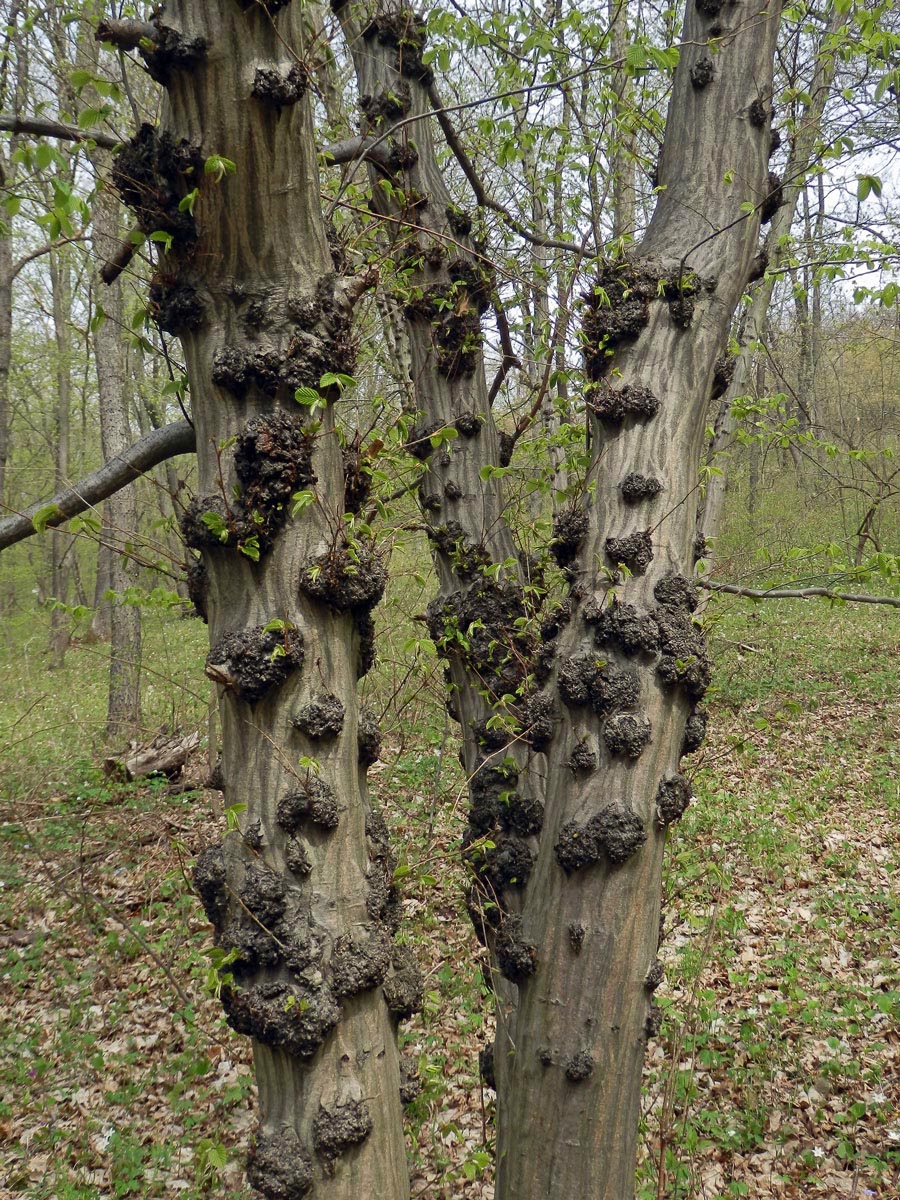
[{"x": 303, "y": 895}]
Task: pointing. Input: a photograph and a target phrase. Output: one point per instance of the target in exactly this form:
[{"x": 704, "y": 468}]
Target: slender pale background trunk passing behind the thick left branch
[{"x": 122, "y": 509}]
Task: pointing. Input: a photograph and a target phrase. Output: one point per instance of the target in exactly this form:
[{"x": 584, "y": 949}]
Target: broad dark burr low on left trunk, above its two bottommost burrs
[{"x": 286, "y": 1016}]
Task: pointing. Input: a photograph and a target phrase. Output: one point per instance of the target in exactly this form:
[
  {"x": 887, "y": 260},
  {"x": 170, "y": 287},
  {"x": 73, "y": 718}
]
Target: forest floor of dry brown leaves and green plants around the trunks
[{"x": 777, "y": 1072}]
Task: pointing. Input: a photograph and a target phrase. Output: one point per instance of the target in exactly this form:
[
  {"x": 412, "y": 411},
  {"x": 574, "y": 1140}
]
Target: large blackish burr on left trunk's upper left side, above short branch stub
[{"x": 153, "y": 173}]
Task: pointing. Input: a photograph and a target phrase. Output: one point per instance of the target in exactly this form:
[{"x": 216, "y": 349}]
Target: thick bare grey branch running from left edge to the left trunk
[{"x": 112, "y": 477}]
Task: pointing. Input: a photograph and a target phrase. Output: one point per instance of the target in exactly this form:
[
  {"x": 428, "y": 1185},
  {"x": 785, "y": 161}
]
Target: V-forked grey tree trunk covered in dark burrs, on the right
[{"x": 565, "y": 784}]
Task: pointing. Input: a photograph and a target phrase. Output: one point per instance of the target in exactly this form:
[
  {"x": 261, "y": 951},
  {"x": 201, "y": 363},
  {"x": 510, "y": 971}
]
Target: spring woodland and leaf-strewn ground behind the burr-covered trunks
[{"x": 772, "y": 1072}]
